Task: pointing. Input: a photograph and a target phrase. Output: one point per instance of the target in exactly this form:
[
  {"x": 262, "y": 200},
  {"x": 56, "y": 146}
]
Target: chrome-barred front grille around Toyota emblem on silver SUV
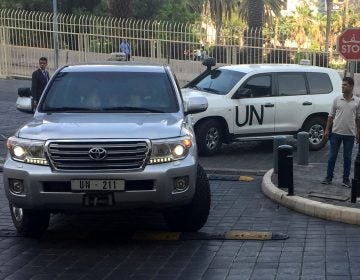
[{"x": 120, "y": 155}]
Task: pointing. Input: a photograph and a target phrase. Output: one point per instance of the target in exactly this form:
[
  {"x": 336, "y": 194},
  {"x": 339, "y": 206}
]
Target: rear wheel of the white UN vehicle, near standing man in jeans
[{"x": 316, "y": 129}]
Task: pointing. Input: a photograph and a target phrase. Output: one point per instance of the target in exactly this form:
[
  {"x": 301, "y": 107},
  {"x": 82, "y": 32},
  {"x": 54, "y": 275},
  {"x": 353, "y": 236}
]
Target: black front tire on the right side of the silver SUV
[{"x": 191, "y": 217}]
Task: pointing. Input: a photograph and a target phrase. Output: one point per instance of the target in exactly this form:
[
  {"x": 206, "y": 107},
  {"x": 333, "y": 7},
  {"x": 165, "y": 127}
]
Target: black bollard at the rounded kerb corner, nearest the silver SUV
[{"x": 285, "y": 172}]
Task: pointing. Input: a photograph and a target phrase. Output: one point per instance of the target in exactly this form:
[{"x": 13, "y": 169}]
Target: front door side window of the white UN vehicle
[{"x": 260, "y": 86}]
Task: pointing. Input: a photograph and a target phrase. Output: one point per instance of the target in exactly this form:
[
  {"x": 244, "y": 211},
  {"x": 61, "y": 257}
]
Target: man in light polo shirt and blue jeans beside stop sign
[{"x": 343, "y": 125}]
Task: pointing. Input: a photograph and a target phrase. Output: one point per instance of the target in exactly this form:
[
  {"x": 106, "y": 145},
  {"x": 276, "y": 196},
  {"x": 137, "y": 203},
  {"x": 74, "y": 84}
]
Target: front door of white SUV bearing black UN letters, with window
[{"x": 255, "y": 112}]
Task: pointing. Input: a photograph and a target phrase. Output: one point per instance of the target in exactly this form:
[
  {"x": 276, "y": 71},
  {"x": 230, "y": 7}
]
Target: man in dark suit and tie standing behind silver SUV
[{"x": 39, "y": 79}]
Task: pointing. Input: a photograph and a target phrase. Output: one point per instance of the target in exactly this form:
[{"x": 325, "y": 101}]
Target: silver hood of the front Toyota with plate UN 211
[{"x": 101, "y": 125}]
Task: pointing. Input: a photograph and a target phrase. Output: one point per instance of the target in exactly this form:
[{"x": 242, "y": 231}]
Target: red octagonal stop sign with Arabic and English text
[{"x": 348, "y": 44}]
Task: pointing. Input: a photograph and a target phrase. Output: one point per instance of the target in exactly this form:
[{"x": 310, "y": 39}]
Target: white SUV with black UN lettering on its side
[{"x": 254, "y": 102}]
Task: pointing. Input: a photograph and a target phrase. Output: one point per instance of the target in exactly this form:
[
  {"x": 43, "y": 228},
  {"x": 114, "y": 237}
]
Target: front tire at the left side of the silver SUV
[{"x": 29, "y": 223}]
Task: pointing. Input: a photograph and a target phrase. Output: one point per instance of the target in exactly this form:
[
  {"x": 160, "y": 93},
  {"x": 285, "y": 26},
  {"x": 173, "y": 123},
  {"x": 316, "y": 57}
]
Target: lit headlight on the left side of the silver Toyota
[{"x": 27, "y": 151}]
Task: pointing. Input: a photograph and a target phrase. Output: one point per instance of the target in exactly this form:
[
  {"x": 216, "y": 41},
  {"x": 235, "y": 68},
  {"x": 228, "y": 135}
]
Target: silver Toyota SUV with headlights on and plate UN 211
[{"x": 103, "y": 138}]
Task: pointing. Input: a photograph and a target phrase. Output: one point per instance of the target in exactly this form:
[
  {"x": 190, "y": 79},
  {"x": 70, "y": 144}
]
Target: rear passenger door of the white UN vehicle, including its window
[{"x": 293, "y": 103}]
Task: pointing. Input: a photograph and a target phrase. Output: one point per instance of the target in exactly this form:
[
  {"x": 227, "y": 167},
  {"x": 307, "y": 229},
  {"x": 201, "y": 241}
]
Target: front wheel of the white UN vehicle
[{"x": 209, "y": 137}]
